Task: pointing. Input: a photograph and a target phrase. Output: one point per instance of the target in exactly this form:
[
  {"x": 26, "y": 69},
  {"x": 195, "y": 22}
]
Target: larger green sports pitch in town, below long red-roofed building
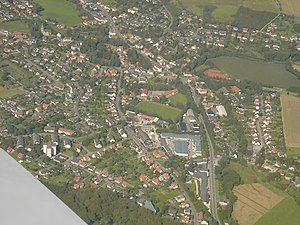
[{"x": 162, "y": 111}]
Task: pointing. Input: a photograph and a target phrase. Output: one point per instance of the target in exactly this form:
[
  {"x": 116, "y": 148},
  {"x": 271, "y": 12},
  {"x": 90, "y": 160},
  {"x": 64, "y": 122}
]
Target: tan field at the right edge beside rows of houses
[{"x": 291, "y": 125}]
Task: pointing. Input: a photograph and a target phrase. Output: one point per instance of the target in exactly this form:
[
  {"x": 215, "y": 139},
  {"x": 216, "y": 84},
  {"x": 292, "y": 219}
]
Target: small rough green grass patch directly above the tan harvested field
[{"x": 247, "y": 173}]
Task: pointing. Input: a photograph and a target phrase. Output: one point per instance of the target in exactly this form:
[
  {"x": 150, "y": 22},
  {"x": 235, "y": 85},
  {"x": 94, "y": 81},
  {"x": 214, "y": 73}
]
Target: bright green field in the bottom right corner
[{"x": 286, "y": 212}]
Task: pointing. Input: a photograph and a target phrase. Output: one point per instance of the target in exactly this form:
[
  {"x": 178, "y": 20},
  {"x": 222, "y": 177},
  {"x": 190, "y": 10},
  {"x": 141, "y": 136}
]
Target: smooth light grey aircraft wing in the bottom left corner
[{"x": 26, "y": 201}]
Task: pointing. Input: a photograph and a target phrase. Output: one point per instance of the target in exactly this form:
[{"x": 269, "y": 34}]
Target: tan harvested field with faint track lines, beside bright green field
[{"x": 254, "y": 201}]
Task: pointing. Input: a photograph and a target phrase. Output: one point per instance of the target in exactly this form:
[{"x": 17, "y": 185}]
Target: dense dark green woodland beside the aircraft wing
[{"x": 101, "y": 206}]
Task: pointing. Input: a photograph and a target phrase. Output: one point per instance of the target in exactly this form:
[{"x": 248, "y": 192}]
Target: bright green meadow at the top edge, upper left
[{"x": 62, "y": 11}]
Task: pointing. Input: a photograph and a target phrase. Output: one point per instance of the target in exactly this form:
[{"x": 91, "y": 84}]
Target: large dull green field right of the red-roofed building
[{"x": 273, "y": 74}]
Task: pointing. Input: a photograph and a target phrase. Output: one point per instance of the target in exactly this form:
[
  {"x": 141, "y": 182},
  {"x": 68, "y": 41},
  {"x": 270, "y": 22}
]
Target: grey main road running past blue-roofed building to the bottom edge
[{"x": 213, "y": 198}]
